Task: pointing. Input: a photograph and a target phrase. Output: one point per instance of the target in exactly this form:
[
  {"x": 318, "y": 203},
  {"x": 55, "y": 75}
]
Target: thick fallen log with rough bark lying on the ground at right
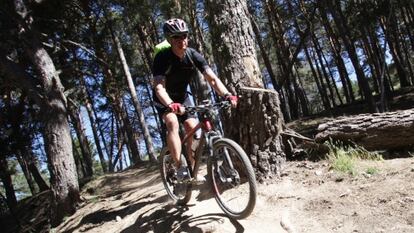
[{"x": 378, "y": 131}]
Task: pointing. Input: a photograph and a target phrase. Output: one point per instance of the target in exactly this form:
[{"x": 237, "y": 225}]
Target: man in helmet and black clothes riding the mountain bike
[{"x": 173, "y": 69}]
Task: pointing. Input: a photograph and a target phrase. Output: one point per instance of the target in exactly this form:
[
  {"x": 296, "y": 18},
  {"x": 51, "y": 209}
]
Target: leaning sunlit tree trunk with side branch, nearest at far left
[{"x": 56, "y": 133}]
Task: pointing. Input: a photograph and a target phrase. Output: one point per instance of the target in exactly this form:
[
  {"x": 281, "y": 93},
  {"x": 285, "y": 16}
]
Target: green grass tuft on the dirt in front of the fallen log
[{"x": 344, "y": 157}]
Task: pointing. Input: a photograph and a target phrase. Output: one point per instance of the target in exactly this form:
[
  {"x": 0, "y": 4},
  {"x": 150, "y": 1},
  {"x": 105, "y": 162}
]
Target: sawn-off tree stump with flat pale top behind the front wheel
[{"x": 259, "y": 130}]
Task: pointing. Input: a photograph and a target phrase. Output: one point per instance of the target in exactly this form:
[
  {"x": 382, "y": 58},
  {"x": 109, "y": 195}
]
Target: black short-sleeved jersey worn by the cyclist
[{"x": 177, "y": 72}]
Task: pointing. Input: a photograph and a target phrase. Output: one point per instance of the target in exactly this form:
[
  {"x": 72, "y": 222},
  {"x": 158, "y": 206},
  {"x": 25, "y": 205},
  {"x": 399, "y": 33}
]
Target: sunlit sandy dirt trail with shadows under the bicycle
[{"x": 307, "y": 198}]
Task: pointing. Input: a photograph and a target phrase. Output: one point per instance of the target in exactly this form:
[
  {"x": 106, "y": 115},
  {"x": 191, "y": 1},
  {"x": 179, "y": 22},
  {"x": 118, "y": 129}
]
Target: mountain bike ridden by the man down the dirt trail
[{"x": 229, "y": 171}]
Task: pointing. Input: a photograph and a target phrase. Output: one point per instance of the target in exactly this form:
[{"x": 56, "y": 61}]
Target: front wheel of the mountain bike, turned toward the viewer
[{"x": 232, "y": 178}]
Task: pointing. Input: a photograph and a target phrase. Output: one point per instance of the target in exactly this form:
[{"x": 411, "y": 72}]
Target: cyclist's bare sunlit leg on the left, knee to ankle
[{"x": 173, "y": 137}]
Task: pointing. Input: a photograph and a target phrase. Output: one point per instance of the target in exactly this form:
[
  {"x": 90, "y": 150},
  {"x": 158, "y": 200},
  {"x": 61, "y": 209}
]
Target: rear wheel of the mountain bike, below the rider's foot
[{"x": 179, "y": 191}]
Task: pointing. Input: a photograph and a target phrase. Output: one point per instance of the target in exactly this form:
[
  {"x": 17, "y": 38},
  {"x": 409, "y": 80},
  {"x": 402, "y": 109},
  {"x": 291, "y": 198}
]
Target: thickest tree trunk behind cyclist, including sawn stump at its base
[{"x": 255, "y": 126}]
